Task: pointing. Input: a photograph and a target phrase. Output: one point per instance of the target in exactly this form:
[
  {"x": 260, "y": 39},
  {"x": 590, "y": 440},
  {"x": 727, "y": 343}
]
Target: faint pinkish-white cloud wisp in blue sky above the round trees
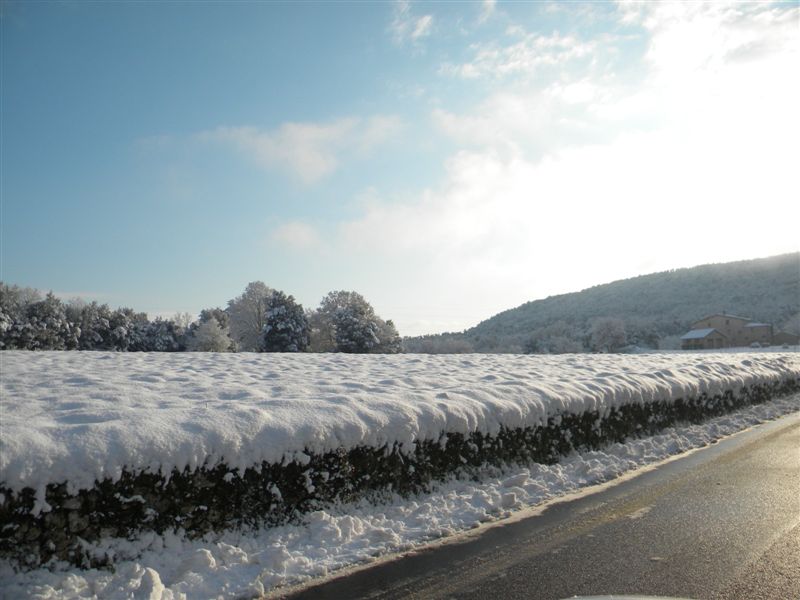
[{"x": 310, "y": 151}]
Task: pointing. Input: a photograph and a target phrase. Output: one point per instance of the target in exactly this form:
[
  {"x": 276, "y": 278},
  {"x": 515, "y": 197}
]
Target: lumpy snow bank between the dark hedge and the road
[{"x": 246, "y": 565}]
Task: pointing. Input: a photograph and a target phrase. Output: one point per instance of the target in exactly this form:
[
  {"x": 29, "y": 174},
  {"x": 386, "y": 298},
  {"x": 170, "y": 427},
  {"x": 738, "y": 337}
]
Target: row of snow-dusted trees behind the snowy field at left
[{"x": 261, "y": 319}]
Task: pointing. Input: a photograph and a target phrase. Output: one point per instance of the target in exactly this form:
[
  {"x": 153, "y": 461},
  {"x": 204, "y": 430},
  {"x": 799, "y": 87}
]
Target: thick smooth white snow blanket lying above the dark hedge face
[{"x": 80, "y": 417}]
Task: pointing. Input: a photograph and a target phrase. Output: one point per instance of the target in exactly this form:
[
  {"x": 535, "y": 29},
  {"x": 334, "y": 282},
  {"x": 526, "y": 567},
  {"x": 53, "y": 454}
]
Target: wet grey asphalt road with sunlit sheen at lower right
[{"x": 720, "y": 523}]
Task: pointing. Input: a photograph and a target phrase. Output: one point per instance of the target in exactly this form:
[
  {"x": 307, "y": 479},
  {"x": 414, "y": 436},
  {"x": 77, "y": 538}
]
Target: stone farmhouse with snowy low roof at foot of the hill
[{"x": 728, "y": 331}]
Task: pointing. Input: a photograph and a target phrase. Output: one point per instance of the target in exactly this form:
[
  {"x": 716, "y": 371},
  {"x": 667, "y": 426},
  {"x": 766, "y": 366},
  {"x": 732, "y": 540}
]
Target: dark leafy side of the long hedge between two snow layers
[{"x": 216, "y": 498}]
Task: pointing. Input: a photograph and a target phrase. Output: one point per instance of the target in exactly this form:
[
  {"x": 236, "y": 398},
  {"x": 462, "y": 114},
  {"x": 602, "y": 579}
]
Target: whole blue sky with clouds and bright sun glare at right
[{"x": 447, "y": 160}]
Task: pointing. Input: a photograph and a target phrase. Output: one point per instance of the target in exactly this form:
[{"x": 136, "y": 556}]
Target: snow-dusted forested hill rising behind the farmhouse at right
[{"x": 654, "y": 309}]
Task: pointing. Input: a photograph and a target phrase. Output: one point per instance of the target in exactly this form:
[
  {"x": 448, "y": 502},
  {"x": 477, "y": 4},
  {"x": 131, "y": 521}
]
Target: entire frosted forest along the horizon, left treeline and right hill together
[{"x": 650, "y": 311}]
